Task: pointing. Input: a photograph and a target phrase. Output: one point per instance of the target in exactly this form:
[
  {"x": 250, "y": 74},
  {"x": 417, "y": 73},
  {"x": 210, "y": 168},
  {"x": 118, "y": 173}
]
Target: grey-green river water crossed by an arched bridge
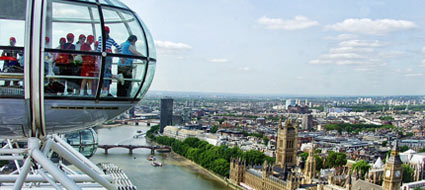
[{"x": 175, "y": 173}]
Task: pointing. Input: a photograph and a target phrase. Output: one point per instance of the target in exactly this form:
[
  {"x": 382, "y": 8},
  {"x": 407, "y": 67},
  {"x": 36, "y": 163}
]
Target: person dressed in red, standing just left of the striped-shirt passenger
[{"x": 88, "y": 66}]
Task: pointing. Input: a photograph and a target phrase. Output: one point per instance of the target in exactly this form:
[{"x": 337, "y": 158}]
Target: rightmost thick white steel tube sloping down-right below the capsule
[{"x": 82, "y": 166}]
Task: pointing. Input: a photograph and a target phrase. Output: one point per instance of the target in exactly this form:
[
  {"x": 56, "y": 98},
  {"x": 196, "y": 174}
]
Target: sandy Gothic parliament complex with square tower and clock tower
[{"x": 288, "y": 174}]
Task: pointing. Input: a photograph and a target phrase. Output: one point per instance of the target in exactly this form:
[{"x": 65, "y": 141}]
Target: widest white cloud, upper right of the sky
[{"x": 374, "y": 27}]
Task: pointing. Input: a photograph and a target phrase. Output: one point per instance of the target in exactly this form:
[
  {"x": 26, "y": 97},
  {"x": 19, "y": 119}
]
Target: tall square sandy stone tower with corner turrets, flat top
[{"x": 286, "y": 144}]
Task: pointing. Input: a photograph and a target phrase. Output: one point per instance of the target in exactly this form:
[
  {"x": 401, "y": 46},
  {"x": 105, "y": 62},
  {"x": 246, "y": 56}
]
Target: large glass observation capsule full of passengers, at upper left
[{"x": 70, "y": 64}]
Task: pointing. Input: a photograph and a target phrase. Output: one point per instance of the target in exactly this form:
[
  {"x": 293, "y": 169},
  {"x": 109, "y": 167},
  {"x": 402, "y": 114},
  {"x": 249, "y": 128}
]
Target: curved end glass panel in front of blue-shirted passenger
[{"x": 123, "y": 75}]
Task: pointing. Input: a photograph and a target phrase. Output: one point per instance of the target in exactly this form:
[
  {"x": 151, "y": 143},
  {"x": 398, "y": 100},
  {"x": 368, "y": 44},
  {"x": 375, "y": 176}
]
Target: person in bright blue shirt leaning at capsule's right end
[{"x": 125, "y": 65}]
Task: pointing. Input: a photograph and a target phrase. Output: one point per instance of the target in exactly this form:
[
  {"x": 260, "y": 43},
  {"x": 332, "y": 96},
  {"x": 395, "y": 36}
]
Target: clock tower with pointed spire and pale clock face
[{"x": 393, "y": 170}]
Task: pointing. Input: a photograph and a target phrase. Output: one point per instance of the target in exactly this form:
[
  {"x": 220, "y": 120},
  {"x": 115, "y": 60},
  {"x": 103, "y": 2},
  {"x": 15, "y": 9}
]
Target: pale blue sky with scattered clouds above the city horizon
[{"x": 306, "y": 47}]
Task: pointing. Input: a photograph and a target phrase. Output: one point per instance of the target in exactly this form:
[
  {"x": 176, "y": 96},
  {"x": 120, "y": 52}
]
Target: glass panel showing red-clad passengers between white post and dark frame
[{"x": 71, "y": 64}]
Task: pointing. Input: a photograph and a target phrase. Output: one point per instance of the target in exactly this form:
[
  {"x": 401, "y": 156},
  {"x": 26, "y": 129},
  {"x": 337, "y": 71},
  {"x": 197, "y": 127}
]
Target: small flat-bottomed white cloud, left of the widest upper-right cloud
[{"x": 298, "y": 22}]
